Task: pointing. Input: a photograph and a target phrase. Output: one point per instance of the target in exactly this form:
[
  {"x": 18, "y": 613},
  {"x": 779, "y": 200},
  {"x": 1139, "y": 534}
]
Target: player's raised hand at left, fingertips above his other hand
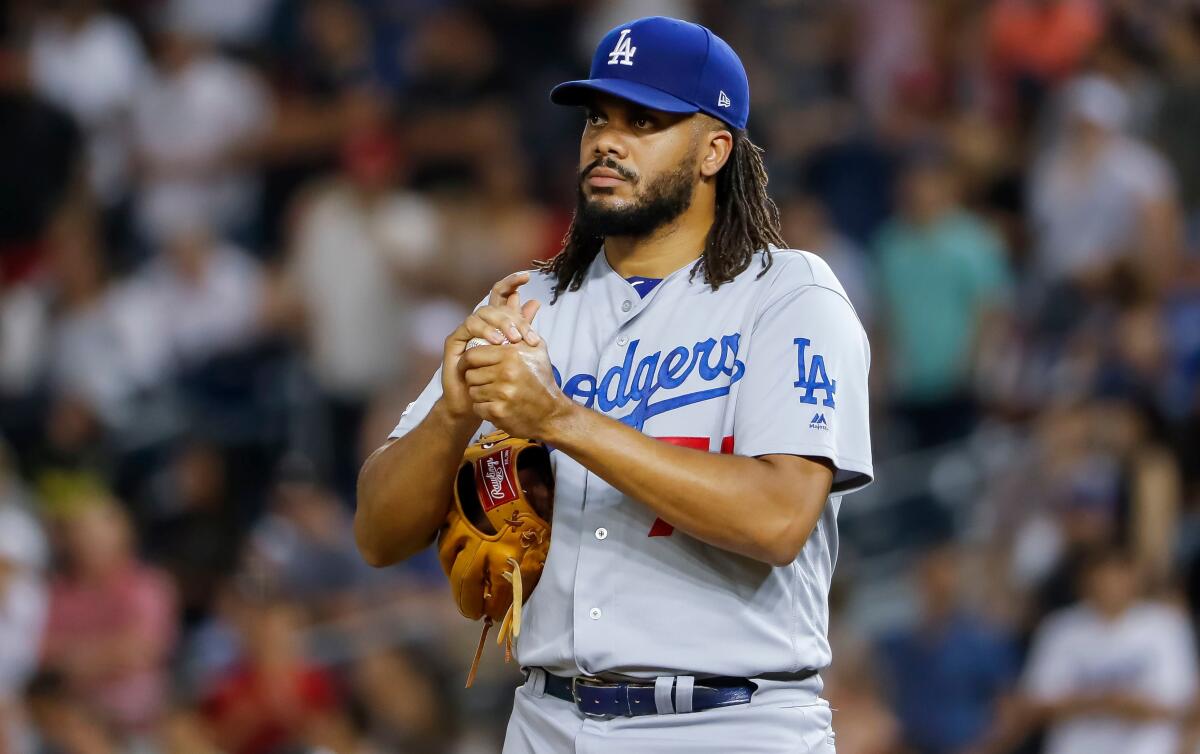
[{"x": 502, "y": 320}]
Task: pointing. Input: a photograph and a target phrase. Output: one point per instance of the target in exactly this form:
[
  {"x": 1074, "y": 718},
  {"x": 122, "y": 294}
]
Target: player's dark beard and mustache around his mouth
[{"x": 664, "y": 200}]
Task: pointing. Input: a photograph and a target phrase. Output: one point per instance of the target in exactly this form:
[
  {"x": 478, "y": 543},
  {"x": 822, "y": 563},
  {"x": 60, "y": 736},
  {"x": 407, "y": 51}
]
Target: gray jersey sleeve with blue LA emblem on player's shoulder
[{"x": 805, "y": 392}]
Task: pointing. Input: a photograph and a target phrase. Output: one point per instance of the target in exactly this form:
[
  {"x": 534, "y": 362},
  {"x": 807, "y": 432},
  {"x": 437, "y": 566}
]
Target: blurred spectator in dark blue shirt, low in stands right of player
[{"x": 947, "y": 675}]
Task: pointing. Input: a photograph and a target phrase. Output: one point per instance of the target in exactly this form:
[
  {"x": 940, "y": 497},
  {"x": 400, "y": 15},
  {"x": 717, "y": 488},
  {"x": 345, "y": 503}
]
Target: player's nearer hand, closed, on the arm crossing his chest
[{"x": 513, "y": 387}]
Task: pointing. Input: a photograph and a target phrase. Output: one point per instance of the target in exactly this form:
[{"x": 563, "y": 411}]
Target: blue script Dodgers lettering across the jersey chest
[{"x": 638, "y": 384}]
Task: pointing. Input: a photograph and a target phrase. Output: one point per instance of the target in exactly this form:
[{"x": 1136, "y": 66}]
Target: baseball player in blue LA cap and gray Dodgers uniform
[{"x": 704, "y": 392}]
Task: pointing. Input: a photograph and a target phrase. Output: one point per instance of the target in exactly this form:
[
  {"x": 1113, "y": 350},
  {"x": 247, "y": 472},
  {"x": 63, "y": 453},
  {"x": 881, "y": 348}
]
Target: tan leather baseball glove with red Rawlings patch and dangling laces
[{"x": 496, "y": 537}]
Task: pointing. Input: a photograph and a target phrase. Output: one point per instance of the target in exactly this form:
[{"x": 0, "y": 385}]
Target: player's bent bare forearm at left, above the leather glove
[{"x": 406, "y": 487}]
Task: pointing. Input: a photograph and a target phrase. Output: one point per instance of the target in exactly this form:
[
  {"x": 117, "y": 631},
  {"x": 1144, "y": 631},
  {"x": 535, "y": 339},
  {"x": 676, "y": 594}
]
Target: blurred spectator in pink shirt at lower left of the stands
[{"x": 112, "y": 619}]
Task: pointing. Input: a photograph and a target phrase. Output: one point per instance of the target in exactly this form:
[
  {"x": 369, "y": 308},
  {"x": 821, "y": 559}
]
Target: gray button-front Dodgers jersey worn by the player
[{"x": 764, "y": 366}]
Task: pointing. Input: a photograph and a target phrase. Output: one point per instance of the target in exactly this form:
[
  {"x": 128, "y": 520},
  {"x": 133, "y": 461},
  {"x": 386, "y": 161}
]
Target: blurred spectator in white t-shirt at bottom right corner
[{"x": 1115, "y": 673}]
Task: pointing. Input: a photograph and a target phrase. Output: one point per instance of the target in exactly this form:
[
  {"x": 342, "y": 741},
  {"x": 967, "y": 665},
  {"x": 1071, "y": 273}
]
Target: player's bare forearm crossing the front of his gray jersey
[{"x": 763, "y": 508}]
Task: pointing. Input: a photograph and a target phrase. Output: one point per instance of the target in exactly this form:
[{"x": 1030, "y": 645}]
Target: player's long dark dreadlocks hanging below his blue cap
[{"x": 747, "y": 222}]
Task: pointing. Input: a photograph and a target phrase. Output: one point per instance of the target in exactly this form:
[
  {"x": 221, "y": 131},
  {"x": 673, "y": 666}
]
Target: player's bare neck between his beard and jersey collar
[{"x": 664, "y": 252}]
